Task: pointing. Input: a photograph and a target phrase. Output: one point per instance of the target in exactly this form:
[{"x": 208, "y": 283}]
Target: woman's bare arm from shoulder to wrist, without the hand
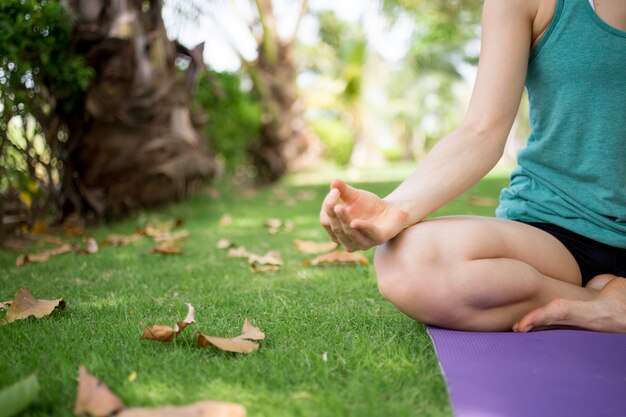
[{"x": 467, "y": 154}]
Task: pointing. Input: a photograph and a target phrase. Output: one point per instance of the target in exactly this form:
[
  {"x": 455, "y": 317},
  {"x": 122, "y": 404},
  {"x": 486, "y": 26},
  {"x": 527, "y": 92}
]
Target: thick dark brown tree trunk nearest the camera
[{"x": 135, "y": 143}]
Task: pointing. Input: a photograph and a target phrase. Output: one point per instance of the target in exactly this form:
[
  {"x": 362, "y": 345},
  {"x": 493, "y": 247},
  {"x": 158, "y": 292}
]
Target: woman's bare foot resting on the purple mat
[{"x": 605, "y": 313}]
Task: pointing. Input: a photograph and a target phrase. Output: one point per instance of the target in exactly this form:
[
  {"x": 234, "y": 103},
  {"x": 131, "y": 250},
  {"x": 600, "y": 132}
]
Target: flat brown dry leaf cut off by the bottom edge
[{"x": 199, "y": 409}]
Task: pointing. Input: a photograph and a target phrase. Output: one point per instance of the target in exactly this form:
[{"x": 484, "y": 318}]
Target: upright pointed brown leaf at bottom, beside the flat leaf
[{"x": 94, "y": 398}]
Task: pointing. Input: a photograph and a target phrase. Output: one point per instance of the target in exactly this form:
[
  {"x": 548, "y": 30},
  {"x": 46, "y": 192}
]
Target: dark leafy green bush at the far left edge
[{"x": 41, "y": 82}]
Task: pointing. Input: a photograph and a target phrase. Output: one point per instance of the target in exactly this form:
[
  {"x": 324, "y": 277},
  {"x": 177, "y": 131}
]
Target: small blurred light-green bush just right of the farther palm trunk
[{"x": 337, "y": 138}]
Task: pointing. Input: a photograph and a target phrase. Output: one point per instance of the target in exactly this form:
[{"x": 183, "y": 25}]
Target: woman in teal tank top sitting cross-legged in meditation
[{"x": 556, "y": 254}]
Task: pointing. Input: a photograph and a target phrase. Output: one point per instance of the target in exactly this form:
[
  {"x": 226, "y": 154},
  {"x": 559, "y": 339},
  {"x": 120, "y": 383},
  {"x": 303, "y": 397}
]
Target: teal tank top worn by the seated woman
[{"x": 572, "y": 173}]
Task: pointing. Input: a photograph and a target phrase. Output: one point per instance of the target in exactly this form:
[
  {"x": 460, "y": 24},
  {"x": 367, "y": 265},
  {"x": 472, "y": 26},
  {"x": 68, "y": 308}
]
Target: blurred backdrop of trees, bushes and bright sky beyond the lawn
[{"x": 111, "y": 105}]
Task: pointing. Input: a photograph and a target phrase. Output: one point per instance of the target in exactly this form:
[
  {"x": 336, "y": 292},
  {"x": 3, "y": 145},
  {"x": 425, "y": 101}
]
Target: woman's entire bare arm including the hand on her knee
[{"x": 461, "y": 158}]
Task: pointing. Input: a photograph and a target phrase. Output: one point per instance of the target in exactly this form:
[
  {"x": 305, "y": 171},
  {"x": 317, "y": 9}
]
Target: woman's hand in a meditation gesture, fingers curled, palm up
[{"x": 363, "y": 220}]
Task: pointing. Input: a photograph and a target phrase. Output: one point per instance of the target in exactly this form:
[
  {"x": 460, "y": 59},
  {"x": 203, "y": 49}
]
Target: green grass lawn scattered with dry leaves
[{"x": 378, "y": 362}]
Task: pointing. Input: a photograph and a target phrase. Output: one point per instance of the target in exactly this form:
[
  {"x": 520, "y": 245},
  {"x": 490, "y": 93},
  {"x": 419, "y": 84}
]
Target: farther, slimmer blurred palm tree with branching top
[{"x": 286, "y": 143}]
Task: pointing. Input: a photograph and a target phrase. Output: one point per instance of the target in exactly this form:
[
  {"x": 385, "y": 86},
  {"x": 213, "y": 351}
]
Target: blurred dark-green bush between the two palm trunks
[{"x": 234, "y": 116}]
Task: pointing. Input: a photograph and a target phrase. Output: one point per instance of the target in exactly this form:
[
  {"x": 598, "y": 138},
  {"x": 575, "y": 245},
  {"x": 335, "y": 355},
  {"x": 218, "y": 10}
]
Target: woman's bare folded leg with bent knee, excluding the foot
[{"x": 475, "y": 273}]
